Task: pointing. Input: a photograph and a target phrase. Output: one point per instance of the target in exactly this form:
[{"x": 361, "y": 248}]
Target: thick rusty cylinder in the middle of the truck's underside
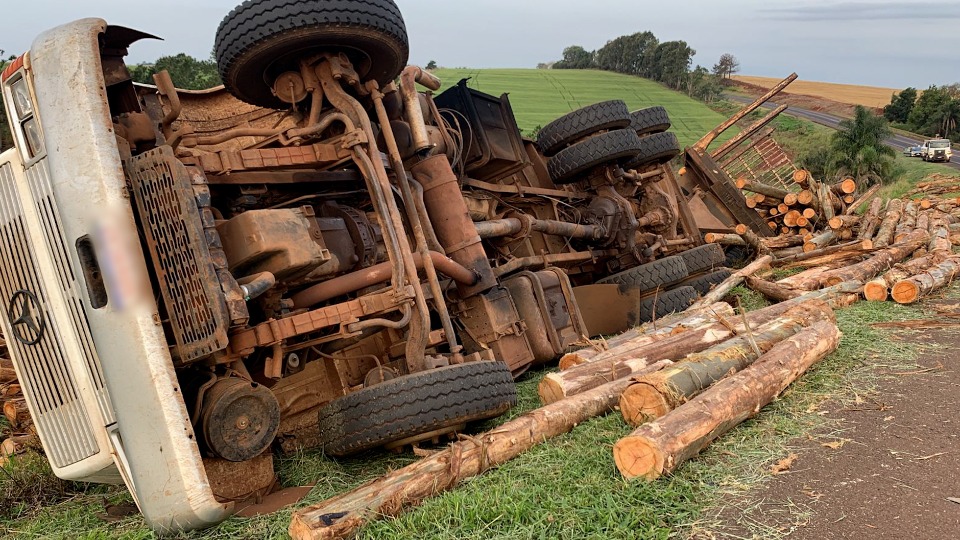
[{"x": 452, "y": 222}]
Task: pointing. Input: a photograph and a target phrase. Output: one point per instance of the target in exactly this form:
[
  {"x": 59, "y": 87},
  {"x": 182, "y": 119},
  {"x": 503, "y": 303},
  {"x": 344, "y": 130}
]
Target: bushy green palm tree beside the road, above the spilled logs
[{"x": 858, "y": 149}]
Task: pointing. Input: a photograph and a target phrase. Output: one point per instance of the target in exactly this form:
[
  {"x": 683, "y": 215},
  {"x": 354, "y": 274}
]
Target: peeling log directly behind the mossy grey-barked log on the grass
[{"x": 616, "y": 364}]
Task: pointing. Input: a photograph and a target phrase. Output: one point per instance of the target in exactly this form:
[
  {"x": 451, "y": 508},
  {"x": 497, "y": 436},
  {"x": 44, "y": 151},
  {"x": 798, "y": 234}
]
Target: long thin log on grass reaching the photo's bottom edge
[{"x": 343, "y": 516}]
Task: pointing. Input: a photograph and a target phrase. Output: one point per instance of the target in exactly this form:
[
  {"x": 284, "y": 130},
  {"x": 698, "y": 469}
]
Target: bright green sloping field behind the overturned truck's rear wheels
[{"x": 539, "y": 96}]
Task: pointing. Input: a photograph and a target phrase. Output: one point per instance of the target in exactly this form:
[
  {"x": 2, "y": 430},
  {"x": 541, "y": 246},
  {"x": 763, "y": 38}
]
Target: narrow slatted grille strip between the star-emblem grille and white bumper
[{"x": 38, "y": 178}]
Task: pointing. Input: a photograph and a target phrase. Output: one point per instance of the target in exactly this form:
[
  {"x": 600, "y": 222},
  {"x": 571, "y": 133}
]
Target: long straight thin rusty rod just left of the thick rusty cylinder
[{"x": 413, "y": 217}]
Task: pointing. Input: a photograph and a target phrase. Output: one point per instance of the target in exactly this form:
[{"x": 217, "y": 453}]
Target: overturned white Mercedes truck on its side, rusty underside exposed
[{"x": 317, "y": 255}]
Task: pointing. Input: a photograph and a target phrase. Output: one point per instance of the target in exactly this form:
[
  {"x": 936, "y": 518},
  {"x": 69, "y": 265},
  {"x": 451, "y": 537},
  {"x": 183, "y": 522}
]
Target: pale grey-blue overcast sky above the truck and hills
[{"x": 874, "y": 42}]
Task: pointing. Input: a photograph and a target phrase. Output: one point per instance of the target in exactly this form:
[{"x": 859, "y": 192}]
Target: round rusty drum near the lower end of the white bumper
[{"x": 239, "y": 419}]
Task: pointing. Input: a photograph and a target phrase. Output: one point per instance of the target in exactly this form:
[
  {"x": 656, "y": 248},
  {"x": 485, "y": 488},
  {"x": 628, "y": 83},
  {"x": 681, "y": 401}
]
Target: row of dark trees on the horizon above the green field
[{"x": 643, "y": 55}]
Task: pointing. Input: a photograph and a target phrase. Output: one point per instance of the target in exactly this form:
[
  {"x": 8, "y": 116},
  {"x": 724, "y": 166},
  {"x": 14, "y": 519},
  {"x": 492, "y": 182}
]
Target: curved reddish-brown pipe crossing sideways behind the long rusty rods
[{"x": 377, "y": 274}]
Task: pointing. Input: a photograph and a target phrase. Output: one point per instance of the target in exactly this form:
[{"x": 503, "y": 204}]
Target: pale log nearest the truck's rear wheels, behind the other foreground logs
[{"x": 649, "y": 333}]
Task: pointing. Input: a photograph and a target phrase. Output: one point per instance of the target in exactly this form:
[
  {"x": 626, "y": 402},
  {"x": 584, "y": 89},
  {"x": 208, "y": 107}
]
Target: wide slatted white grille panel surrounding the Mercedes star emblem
[{"x": 46, "y": 378}]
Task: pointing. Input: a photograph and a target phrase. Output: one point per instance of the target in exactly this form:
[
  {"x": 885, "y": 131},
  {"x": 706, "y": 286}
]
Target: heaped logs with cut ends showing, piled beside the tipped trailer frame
[{"x": 802, "y": 210}]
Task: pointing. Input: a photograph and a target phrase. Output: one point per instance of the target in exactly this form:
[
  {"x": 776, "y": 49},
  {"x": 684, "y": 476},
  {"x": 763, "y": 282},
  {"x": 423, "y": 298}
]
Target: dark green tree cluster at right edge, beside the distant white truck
[{"x": 935, "y": 111}]
